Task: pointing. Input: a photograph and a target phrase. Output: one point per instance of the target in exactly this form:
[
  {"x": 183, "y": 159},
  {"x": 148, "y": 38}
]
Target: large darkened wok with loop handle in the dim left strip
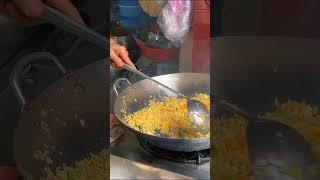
[{"x": 67, "y": 119}]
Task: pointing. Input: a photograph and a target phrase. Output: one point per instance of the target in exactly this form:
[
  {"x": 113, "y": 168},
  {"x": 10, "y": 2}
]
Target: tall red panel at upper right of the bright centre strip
[{"x": 201, "y": 37}]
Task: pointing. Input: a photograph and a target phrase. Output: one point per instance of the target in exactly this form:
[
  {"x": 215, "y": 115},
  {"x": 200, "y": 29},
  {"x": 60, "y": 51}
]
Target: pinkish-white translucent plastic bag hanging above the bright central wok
[{"x": 174, "y": 19}]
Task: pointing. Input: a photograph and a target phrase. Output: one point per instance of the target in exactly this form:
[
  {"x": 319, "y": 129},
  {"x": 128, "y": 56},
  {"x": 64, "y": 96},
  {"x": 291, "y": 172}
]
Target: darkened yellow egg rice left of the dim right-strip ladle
[{"x": 230, "y": 153}]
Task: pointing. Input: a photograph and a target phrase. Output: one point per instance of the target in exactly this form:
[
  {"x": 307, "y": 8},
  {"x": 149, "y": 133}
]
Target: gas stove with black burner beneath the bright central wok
[{"x": 129, "y": 147}]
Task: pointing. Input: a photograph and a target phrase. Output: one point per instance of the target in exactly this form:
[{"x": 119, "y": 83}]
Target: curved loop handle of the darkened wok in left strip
[{"x": 20, "y": 66}]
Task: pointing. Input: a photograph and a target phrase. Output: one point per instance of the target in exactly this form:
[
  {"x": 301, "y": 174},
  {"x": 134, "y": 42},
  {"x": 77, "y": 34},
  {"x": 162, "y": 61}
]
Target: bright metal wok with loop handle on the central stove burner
[{"x": 137, "y": 96}]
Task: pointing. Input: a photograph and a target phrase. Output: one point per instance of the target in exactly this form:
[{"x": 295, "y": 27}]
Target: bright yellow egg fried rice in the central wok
[{"x": 168, "y": 118}]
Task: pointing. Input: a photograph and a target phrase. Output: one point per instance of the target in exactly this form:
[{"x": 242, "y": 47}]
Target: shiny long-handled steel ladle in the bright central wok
[{"x": 198, "y": 113}]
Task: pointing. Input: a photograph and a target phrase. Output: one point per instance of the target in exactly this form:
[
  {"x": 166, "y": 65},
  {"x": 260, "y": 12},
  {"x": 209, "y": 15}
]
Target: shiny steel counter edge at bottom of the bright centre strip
[{"x": 121, "y": 168}]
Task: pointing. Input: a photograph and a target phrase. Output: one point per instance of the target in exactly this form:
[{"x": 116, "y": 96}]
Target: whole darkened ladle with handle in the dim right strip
[{"x": 274, "y": 143}]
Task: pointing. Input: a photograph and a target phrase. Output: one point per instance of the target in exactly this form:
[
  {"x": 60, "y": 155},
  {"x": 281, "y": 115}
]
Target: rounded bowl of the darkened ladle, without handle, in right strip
[{"x": 289, "y": 152}]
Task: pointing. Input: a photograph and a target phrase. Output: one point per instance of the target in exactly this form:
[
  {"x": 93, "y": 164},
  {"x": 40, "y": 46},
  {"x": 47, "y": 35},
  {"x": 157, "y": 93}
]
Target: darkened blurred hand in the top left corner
[{"x": 29, "y": 10}]
